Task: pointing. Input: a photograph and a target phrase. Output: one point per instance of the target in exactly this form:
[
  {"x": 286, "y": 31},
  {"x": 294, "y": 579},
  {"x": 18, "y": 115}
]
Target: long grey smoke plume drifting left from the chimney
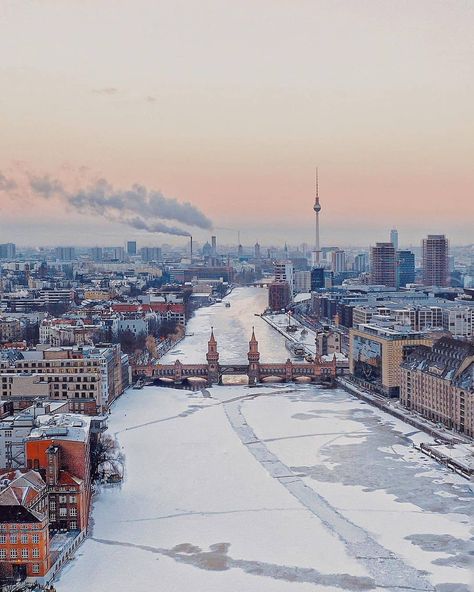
[{"x": 137, "y": 207}]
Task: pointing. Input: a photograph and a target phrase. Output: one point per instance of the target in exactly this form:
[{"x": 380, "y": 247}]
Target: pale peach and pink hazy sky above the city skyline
[{"x": 230, "y": 106}]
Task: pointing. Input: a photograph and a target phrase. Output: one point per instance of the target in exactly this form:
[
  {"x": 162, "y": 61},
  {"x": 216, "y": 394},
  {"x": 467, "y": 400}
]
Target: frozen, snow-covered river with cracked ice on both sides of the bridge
[{"x": 279, "y": 488}]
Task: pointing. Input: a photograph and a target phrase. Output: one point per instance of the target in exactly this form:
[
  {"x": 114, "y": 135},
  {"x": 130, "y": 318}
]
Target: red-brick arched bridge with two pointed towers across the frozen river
[{"x": 211, "y": 373}]
